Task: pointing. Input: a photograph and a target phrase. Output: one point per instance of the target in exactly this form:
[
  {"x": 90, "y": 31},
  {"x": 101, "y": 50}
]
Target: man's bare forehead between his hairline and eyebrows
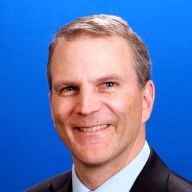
[{"x": 92, "y": 56}]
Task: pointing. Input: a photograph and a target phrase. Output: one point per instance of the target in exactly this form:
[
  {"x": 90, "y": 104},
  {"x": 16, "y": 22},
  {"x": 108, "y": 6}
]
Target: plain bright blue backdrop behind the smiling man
[{"x": 30, "y": 149}]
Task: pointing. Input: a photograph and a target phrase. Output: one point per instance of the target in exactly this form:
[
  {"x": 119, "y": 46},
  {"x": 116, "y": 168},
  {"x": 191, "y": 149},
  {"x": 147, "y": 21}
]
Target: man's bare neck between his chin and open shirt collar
[{"x": 94, "y": 176}]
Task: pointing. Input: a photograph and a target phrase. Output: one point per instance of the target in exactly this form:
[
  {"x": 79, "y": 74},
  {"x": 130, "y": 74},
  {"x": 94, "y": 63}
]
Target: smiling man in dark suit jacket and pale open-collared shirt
[{"x": 101, "y": 96}]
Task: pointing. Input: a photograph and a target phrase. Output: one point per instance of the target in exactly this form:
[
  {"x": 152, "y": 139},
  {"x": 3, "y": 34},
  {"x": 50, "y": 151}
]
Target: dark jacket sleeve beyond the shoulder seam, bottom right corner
[{"x": 178, "y": 184}]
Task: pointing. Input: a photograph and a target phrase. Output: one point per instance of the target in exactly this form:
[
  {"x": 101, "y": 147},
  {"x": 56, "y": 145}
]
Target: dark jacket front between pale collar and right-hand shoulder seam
[{"x": 153, "y": 177}]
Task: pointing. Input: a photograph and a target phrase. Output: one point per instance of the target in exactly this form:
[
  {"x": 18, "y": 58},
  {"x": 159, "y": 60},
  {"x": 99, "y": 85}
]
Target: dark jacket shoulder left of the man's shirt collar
[{"x": 53, "y": 184}]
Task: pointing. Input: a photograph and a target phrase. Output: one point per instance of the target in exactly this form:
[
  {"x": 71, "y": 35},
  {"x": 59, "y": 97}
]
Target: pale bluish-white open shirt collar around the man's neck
[{"x": 123, "y": 180}]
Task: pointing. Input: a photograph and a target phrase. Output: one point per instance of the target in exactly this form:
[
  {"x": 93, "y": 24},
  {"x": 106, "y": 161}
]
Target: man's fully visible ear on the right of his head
[{"x": 148, "y": 100}]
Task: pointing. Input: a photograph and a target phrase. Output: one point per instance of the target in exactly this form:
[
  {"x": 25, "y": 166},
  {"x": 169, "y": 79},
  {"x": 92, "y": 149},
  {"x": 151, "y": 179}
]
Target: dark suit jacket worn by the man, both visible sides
[{"x": 155, "y": 177}]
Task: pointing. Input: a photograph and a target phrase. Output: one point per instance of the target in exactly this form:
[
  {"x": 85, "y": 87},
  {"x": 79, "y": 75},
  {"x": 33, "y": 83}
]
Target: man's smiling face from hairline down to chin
[{"x": 97, "y": 107}]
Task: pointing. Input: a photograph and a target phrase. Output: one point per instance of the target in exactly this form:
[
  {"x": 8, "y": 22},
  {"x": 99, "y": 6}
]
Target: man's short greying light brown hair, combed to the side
[{"x": 105, "y": 26}]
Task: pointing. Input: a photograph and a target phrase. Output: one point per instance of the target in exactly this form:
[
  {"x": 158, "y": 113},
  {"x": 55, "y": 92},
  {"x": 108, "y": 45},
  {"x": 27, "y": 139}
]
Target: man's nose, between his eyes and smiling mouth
[{"x": 88, "y": 102}]
